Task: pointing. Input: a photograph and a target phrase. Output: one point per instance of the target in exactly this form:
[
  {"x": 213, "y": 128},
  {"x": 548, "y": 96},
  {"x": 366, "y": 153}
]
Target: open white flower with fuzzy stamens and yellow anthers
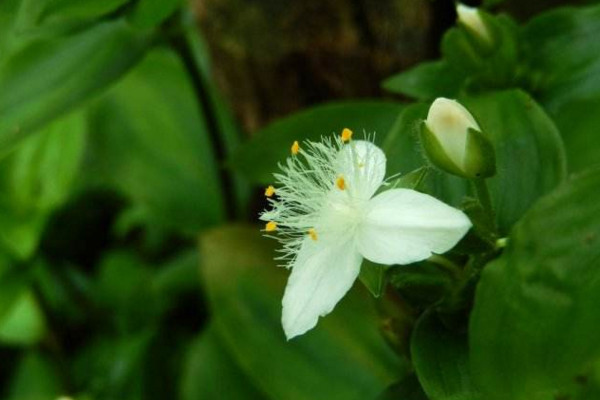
[{"x": 327, "y": 217}]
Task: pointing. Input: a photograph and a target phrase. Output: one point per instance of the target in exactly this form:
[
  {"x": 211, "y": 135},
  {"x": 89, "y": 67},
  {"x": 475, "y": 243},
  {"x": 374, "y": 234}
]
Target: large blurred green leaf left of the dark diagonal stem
[{"x": 149, "y": 141}]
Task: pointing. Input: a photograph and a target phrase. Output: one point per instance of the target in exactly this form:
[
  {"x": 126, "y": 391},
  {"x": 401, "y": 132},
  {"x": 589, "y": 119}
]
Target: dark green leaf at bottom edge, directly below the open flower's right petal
[{"x": 441, "y": 360}]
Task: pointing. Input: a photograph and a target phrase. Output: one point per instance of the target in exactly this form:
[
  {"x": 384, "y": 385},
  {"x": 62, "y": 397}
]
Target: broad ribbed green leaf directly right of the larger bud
[{"x": 530, "y": 159}]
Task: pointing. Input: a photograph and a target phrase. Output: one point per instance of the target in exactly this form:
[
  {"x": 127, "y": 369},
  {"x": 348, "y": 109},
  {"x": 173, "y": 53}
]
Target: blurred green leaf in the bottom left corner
[{"x": 36, "y": 378}]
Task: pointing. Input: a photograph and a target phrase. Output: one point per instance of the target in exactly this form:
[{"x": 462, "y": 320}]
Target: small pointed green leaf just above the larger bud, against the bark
[{"x": 427, "y": 81}]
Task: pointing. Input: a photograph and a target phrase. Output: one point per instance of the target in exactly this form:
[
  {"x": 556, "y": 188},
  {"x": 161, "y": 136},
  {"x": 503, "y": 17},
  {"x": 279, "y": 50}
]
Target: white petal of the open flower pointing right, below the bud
[{"x": 402, "y": 226}]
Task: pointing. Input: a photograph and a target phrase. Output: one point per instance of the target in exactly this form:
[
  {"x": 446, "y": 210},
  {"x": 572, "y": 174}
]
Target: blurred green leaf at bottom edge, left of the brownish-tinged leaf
[{"x": 211, "y": 373}]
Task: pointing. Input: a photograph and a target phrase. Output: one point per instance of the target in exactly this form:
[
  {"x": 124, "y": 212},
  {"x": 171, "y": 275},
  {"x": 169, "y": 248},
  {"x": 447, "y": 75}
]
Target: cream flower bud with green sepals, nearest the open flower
[{"x": 453, "y": 141}]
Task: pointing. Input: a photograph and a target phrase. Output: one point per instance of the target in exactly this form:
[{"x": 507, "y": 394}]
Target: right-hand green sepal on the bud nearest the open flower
[{"x": 480, "y": 158}]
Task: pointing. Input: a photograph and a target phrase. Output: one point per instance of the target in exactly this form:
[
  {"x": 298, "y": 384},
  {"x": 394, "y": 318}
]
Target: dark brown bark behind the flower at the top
[{"x": 273, "y": 57}]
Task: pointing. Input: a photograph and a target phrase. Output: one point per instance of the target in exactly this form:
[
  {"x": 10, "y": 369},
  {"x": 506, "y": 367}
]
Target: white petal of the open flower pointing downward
[{"x": 321, "y": 275}]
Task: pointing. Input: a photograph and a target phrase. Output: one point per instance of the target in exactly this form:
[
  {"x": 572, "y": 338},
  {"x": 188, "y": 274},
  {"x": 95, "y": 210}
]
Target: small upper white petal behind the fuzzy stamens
[{"x": 362, "y": 165}]
